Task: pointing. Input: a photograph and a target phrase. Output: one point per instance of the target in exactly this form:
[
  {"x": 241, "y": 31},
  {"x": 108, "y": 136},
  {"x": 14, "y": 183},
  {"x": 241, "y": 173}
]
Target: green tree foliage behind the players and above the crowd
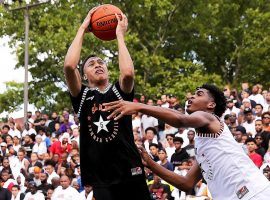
[{"x": 175, "y": 45}]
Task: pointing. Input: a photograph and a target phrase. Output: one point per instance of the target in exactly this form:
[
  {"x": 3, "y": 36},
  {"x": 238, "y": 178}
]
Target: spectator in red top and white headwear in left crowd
[{"x": 61, "y": 146}]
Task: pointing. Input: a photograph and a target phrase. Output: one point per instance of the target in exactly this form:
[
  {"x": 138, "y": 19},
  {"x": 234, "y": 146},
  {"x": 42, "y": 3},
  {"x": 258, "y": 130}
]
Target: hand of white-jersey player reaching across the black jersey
[{"x": 120, "y": 108}]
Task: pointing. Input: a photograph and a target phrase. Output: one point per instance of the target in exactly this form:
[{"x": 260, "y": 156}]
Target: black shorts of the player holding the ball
[{"x": 136, "y": 190}]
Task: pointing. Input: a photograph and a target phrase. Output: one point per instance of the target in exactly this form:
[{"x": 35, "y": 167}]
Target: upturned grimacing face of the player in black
[{"x": 95, "y": 69}]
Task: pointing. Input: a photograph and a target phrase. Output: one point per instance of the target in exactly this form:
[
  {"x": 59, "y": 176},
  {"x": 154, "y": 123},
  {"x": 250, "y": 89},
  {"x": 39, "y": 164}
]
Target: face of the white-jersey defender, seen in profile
[{"x": 200, "y": 101}]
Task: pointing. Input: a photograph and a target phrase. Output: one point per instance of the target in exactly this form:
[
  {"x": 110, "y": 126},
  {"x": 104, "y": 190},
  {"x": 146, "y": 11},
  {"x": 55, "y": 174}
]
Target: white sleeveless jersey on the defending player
[{"x": 228, "y": 171}]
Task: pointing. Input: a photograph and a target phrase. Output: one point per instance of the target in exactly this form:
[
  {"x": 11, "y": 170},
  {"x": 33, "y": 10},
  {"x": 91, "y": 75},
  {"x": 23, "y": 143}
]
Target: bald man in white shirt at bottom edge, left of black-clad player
[{"x": 65, "y": 191}]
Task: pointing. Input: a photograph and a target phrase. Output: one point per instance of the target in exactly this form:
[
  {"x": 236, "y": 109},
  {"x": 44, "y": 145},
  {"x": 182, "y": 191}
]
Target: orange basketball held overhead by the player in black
[{"x": 103, "y": 22}]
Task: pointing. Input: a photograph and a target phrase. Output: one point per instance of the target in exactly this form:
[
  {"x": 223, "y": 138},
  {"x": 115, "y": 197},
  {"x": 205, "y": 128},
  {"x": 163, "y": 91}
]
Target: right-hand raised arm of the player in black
[{"x": 126, "y": 67}]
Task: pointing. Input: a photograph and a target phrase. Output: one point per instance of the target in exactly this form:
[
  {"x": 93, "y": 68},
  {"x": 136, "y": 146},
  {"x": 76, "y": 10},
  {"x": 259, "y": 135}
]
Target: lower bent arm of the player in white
[{"x": 184, "y": 183}]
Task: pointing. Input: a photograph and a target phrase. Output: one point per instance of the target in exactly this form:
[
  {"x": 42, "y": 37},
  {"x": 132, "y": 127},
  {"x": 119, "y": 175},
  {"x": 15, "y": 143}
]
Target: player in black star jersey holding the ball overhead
[{"x": 109, "y": 158}]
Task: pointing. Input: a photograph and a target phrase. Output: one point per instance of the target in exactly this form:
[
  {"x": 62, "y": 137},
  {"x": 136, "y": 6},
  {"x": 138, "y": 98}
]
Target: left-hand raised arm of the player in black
[{"x": 73, "y": 57}]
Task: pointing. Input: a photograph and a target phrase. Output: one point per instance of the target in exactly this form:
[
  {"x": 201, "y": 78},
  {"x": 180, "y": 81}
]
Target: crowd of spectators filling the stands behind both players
[{"x": 42, "y": 159}]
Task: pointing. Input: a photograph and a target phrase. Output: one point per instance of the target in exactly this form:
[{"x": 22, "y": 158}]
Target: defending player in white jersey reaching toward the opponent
[{"x": 228, "y": 171}]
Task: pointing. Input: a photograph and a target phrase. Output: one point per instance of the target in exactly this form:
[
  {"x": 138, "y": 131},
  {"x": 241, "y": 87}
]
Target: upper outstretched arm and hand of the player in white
[{"x": 169, "y": 116}]
